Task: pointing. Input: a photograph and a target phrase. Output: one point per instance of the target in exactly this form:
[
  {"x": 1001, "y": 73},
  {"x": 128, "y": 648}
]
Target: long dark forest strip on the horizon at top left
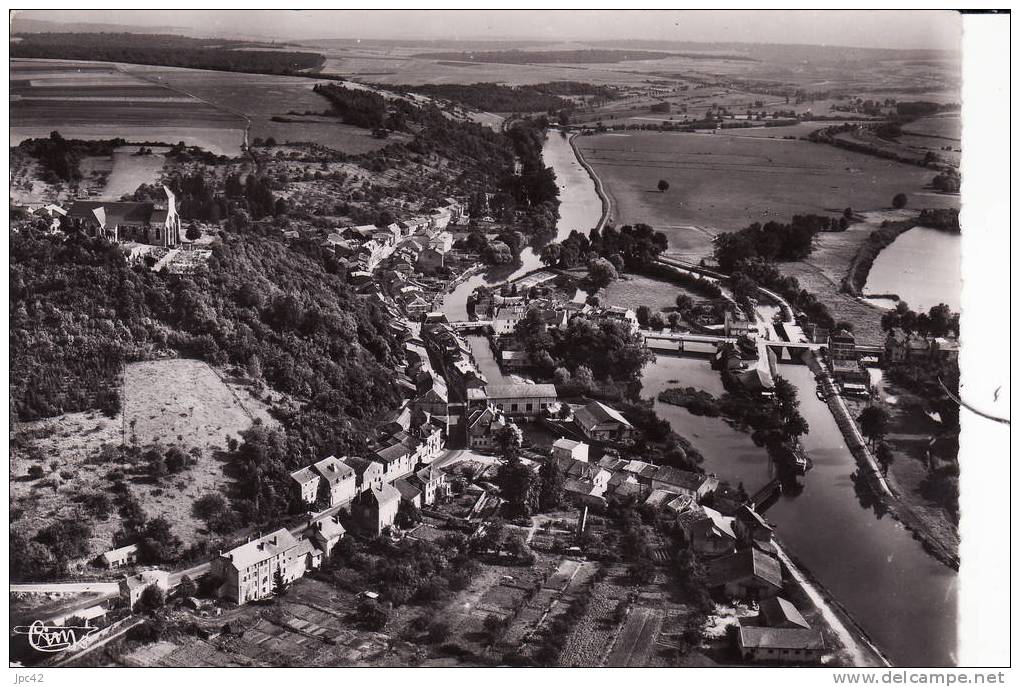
[{"x": 175, "y": 51}]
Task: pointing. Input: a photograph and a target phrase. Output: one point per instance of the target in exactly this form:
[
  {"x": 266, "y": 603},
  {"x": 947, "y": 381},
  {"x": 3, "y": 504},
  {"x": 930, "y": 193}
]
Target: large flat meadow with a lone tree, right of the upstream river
[{"x": 725, "y": 183}]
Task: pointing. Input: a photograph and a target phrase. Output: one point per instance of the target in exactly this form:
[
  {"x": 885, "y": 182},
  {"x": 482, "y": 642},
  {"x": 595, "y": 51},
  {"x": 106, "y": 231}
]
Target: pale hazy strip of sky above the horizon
[{"x": 901, "y": 29}]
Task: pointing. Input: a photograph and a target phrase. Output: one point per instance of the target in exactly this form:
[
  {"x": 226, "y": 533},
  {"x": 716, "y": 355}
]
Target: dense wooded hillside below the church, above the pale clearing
[{"x": 79, "y": 310}]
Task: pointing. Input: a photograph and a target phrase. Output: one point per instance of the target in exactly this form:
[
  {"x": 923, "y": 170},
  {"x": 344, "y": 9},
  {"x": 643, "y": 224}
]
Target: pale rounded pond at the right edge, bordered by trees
[{"x": 923, "y": 268}]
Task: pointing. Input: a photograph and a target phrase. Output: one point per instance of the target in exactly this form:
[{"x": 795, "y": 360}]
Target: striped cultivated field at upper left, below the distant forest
[{"x": 100, "y": 100}]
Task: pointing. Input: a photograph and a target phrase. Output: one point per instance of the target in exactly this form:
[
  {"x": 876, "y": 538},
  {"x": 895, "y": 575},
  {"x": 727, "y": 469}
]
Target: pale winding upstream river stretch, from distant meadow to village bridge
[{"x": 580, "y": 209}]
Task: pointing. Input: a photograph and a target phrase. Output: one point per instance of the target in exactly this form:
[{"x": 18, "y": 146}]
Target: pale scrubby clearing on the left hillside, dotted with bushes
[{"x": 170, "y": 402}]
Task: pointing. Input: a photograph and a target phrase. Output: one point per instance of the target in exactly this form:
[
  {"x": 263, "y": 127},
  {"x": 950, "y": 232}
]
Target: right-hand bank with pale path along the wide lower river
[{"x": 933, "y": 540}]
